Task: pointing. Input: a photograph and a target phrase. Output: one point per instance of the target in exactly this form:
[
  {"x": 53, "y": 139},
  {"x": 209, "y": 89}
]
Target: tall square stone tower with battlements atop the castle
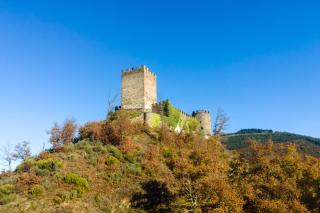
[{"x": 139, "y": 89}]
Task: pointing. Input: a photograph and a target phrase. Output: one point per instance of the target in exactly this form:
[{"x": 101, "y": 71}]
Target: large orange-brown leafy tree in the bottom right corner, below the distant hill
[{"x": 271, "y": 178}]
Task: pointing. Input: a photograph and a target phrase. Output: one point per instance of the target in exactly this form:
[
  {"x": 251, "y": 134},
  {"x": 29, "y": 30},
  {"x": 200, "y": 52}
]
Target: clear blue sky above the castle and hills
[{"x": 257, "y": 60}]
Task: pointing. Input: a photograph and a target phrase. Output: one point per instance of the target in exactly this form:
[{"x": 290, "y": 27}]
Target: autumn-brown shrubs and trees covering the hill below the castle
[{"x": 123, "y": 166}]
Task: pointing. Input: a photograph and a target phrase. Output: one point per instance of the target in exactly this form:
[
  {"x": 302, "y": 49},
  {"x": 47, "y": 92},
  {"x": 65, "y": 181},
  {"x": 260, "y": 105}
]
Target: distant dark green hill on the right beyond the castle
[{"x": 238, "y": 140}]
